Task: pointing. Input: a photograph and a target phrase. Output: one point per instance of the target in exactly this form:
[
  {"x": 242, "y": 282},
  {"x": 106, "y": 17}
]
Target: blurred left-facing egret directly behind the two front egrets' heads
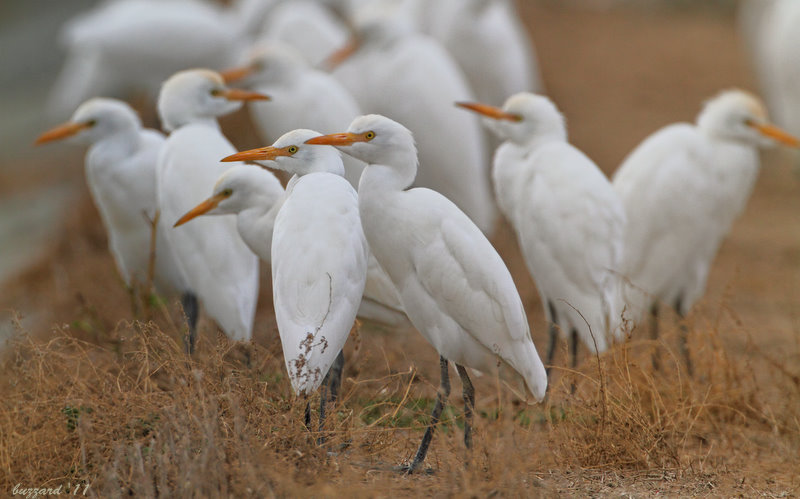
[{"x": 303, "y": 97}]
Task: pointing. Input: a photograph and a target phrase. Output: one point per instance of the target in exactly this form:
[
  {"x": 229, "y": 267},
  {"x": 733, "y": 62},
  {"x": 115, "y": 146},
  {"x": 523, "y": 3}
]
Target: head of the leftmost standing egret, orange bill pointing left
[{"x": 95, "y": 120}]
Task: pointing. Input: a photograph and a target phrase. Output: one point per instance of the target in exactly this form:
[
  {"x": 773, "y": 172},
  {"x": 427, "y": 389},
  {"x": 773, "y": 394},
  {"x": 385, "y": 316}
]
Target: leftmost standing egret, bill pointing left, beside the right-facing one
[{"x": 121, "y": 174}]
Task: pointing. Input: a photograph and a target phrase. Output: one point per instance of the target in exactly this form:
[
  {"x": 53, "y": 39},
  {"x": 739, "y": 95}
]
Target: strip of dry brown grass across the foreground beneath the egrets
[{"x": 125, "y": 411}]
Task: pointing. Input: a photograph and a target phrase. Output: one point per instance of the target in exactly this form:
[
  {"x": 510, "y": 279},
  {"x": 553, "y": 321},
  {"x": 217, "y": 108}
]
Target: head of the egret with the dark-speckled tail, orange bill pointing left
[{"x": 291, "y": 154}]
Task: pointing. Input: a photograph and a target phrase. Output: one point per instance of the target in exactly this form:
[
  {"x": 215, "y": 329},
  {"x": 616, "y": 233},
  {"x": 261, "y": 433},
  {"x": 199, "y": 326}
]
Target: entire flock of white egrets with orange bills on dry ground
[{"x": 361, "y": 101}]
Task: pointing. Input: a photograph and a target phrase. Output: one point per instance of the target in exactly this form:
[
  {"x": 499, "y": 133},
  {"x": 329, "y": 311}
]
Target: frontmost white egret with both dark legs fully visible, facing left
[{"x": 454, "y": 287}]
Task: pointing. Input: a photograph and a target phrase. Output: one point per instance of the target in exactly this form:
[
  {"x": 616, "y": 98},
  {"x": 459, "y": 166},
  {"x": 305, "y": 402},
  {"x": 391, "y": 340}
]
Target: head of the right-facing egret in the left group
[{"x": 198, "y": 94}]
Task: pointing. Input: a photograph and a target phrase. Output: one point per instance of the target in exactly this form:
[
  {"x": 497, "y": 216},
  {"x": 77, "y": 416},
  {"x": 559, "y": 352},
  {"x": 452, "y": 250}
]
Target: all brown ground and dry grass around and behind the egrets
[{"x": 94, "y": 394}]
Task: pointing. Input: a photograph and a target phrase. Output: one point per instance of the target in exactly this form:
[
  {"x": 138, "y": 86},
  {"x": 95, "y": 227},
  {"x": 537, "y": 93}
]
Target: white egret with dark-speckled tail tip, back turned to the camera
[{"x": 319, "y": 260}]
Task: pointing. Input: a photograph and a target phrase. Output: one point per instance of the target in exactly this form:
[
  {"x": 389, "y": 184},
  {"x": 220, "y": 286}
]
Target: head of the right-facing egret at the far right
[{"x": 740, "y": 116}]
